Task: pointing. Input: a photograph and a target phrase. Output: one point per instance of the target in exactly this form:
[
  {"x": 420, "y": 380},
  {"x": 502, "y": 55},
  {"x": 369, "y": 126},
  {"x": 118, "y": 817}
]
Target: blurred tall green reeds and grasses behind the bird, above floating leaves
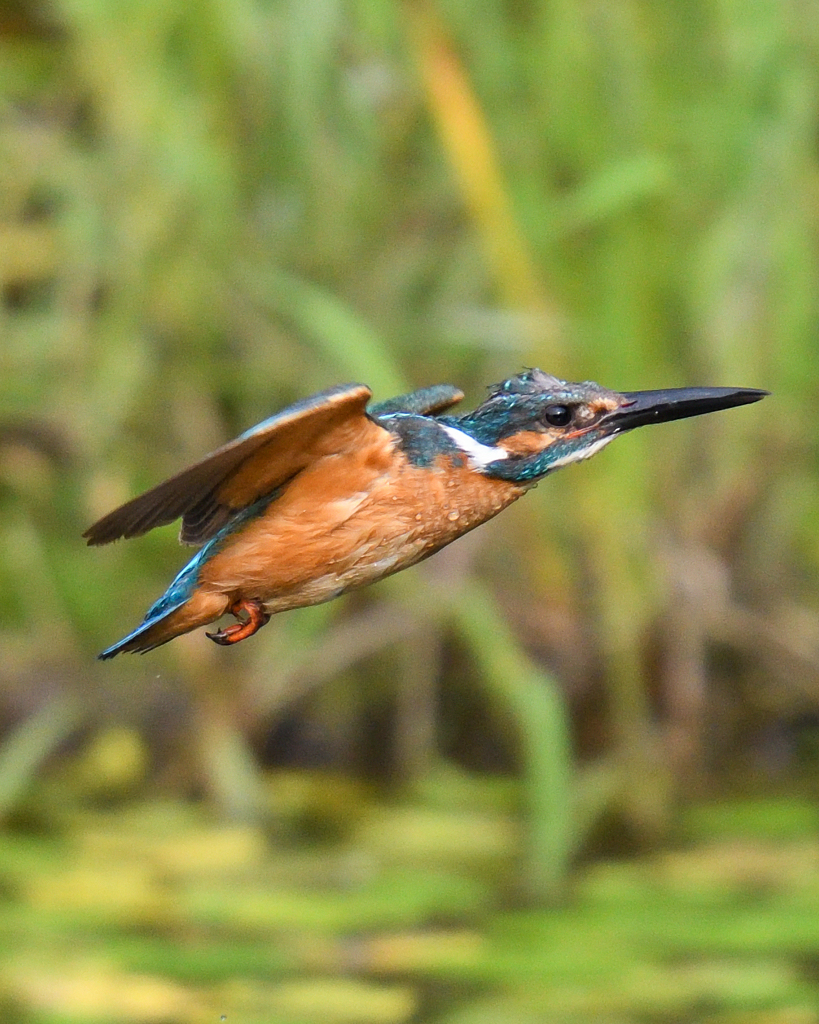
[{"x": 210, "y": 209}]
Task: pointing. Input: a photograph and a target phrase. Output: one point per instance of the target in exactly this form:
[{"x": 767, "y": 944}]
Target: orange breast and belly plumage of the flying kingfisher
[{"x": 351, "y": 520}]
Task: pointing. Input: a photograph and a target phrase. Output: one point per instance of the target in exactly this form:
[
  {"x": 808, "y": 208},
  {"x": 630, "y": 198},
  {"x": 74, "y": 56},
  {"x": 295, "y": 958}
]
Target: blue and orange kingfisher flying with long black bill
[{"x": 335, "y": 493}]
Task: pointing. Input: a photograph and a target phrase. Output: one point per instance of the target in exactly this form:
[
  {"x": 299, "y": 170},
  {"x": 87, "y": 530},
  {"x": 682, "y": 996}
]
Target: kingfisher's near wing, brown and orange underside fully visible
[{"x": 208, "y": 494}]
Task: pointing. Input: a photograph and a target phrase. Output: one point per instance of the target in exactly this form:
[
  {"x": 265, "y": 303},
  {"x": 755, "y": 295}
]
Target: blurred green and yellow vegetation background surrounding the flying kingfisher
[{"x": 567, "y": 771}]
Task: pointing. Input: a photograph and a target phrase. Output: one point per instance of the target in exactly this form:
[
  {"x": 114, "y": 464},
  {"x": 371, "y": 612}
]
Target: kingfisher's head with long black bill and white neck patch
[{"x": 534, "y": 423}]
